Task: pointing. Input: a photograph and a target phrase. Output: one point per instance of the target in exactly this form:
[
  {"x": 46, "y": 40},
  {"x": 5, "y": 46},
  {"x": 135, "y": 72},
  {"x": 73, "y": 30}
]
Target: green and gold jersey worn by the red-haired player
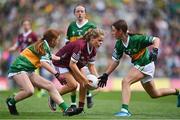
[{"x": 29, "y": 59}]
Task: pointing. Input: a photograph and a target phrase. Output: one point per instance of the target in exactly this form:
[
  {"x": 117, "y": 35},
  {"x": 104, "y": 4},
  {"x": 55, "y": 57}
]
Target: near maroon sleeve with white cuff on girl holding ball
[{"x": 76, "y": 53}]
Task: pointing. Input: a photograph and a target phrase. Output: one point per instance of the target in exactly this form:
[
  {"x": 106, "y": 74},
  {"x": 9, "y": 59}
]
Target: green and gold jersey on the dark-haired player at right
[{"x": 136, "y": 48}]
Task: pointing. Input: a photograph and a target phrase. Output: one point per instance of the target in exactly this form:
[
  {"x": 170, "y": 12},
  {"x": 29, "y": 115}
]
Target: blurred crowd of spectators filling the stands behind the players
[{"x": 153, "y": 17}]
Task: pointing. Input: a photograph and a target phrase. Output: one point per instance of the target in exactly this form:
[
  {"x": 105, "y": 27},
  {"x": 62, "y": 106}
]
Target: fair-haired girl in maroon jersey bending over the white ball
[{"x": 73, "y": 57}]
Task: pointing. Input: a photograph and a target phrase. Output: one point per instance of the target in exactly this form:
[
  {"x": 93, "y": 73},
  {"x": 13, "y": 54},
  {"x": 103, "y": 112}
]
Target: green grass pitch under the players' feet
[{"x": 106, "y": 104}]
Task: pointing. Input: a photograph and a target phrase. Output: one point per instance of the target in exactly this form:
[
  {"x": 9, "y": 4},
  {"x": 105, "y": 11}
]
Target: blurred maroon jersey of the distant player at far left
[{"x": 26, "y": 39}]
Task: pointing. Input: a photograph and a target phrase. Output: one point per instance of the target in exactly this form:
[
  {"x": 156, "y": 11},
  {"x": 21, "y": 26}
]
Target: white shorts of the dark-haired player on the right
[{"x": 148, "y": 70}]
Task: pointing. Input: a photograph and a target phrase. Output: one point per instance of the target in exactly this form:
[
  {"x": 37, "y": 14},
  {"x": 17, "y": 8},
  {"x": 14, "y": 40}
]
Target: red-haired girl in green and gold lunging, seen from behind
[{"x": 22, "y": 72}]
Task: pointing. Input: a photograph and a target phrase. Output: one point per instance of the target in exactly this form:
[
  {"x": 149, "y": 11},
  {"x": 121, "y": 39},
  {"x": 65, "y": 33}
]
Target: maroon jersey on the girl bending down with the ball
[{"x": 77, "y": 51}]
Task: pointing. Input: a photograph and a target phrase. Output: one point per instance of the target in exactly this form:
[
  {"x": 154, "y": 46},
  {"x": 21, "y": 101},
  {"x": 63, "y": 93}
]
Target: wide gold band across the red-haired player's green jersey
[{"x": 35, "y": 60}]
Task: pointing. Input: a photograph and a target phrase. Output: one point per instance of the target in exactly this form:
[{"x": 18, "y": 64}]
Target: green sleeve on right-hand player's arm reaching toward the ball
[{"x": 117, "y": 52}]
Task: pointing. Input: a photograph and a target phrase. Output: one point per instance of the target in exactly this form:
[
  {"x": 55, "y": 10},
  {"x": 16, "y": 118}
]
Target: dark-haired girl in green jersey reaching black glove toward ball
[{"x": 135, "y": 46}]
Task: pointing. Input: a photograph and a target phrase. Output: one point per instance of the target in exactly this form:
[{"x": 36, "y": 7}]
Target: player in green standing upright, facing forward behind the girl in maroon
[{"x": 75, "y": 31}]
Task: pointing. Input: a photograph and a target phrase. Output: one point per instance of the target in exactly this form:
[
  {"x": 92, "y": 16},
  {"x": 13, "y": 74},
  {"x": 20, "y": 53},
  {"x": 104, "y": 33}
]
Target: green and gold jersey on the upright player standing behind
[{"x": 75, "y": 31}]
